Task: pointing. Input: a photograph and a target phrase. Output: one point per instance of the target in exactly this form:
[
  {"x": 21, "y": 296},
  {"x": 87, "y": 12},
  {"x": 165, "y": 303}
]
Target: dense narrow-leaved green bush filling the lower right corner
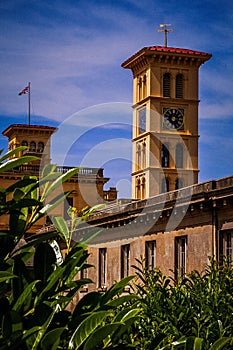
[{"x": 191, "y": 313}]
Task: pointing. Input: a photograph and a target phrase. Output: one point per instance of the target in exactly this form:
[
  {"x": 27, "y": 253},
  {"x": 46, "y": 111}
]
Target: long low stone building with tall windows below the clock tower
[{"x": 175, "y": 231}]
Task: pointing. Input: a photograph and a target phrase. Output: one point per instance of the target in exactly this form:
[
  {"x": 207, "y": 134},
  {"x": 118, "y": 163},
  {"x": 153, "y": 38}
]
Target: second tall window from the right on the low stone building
[{"x": 180, "y": 256}]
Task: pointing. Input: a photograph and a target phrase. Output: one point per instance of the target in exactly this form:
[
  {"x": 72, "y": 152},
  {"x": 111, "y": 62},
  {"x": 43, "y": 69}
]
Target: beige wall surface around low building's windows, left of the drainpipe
[{"x": 199, "y": 248}]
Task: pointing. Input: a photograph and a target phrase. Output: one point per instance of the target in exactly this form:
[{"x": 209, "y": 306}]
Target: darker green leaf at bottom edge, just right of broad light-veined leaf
[{"x": 96, "y": 338}]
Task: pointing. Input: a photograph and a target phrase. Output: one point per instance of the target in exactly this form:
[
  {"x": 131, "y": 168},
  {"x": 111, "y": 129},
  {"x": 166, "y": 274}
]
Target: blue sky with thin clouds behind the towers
[{"x": 71, "y": 52}]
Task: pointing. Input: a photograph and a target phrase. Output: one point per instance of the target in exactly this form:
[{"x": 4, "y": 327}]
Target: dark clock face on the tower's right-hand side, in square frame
[{"x": 173, "y": 118}]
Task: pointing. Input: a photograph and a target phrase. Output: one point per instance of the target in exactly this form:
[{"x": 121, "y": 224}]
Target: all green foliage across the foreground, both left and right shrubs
[{"x": 194, "y": 313}]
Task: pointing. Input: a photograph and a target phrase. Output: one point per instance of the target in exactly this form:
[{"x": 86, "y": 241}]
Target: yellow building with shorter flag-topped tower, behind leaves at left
[{"x": 37, "y": 139}]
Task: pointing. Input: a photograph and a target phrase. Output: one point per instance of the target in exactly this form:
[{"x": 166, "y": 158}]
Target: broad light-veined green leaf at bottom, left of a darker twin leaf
[{"x": 85, "y": 328}]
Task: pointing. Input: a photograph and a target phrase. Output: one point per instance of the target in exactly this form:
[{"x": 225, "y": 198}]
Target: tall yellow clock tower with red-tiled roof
[{"x": 165, "y": 119}]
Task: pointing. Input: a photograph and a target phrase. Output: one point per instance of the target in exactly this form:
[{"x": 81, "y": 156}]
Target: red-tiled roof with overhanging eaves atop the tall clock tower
[{"x": 162, "y": 52}]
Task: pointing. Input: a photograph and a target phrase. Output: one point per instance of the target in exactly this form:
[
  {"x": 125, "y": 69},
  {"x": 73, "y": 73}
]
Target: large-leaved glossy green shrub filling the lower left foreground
[{"x": 34, "y": 302}]
